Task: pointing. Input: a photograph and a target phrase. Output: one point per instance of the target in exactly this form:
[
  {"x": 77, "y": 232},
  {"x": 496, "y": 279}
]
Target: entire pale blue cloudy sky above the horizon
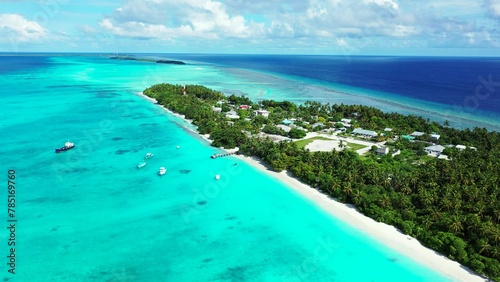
[{"x": 343, "y": 27}]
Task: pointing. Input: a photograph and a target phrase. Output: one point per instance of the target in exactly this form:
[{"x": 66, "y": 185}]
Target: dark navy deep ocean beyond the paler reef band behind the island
[{"x": 442, "y": 80}]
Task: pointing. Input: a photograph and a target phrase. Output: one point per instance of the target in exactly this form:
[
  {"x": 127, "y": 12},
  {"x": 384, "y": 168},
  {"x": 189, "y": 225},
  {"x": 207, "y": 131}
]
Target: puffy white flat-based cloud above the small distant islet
[{"x": 169, "y": 19}]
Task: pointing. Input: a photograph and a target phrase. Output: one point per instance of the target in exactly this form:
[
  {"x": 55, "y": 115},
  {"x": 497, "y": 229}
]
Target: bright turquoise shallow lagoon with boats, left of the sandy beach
[{"x": 90, "y": 215}]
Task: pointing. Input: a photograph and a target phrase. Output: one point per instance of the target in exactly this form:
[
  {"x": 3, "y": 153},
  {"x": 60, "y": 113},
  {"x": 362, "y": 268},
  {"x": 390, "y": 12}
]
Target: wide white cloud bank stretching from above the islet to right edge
[{"x": 360, "y": 24}]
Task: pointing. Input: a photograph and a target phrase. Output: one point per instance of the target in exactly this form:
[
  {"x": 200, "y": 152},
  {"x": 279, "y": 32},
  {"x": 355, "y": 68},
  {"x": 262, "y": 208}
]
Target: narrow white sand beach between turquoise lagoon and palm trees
[{"x": 385, "y": 234}]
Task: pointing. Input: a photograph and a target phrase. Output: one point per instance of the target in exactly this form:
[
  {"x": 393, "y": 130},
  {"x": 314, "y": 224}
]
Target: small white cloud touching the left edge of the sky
[{"x": 18, "y": 29}]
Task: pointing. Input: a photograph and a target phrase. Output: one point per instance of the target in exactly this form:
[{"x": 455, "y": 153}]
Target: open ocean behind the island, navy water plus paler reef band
[{"x": 440, "y": 88}]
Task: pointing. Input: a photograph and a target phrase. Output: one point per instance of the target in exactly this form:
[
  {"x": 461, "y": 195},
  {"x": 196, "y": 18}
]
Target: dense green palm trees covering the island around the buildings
[{"x": 451, "y": 206}]
